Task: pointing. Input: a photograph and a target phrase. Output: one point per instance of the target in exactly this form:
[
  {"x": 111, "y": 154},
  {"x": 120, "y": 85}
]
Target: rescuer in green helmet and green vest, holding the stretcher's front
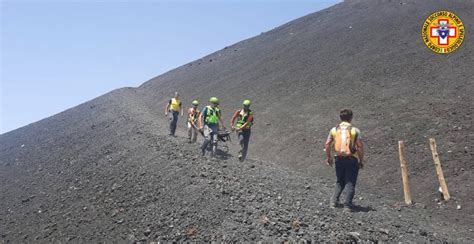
[{"x": 209, "y": 122}]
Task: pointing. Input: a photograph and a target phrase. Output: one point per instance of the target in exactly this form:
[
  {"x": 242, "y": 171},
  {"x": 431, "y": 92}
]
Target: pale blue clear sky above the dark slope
[{"x": 58, "y": 54}]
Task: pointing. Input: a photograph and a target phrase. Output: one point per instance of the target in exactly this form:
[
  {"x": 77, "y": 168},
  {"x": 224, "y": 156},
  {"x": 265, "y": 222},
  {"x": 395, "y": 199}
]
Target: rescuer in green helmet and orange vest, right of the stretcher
[{"x": 243, "y": 127}]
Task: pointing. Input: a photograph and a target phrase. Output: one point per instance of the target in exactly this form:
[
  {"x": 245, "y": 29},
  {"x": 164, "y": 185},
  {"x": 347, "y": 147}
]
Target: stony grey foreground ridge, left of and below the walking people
[{"x": 124, "y": 181}]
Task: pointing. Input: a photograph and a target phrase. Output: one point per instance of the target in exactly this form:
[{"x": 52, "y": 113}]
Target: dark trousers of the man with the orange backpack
[{"x": 347, "y": 170}]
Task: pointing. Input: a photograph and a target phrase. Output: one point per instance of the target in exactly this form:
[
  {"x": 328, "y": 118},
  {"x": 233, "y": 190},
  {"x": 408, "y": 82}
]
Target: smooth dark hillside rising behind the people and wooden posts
[{"x": 365, "y": 55}]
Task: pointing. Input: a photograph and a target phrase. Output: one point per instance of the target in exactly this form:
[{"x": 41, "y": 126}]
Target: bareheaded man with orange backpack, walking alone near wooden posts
[{"x": 349, "y": 156}]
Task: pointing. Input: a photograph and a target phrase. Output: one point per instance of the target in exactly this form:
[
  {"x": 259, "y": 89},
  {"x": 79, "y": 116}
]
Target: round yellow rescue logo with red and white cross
[{"x": 443, "y": 32}]
